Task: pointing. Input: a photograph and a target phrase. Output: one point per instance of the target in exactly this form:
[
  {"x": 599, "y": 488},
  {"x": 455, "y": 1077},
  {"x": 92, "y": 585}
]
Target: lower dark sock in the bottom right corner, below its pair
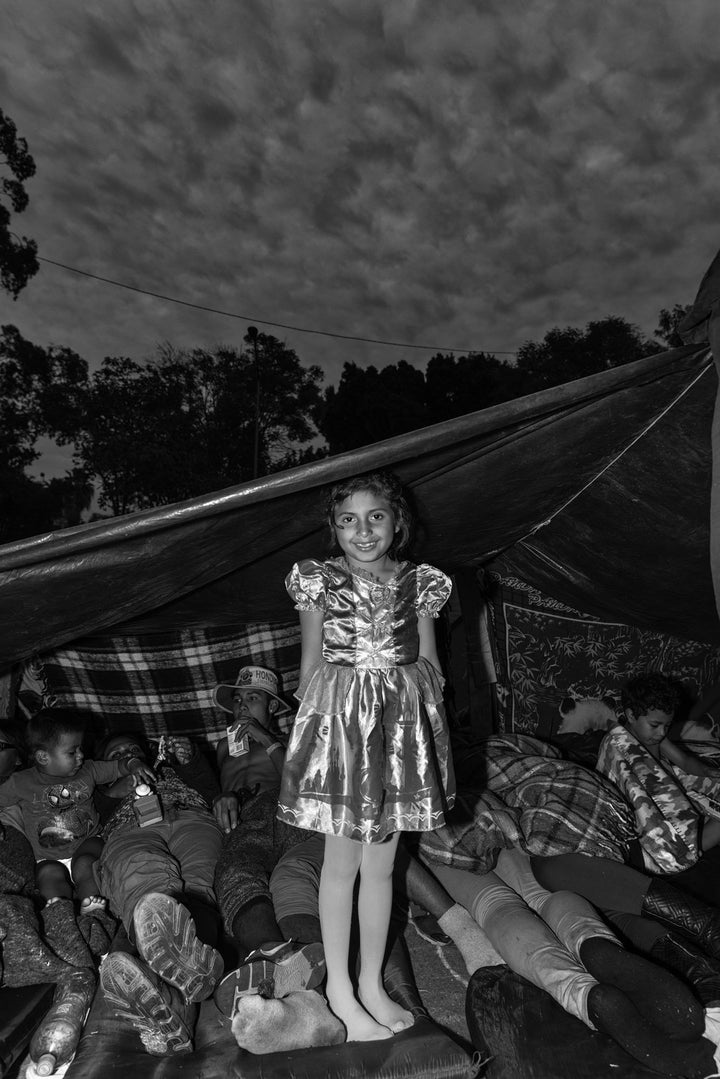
[{"x": 613, "y": 1013}]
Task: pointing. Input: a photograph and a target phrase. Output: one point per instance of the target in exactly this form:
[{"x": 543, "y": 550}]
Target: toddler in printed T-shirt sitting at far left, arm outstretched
[{"x": 55, "y": 801}]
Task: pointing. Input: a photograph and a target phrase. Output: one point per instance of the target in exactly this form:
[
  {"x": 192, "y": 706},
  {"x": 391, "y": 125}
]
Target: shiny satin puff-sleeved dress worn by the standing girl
[{"x": 370, "y": 752}]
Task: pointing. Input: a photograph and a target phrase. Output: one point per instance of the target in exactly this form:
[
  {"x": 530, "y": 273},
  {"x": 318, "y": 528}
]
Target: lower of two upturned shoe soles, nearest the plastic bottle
[{"x": 135, "y": 995}]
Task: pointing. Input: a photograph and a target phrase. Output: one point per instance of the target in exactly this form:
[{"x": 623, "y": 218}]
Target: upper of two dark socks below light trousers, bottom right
[{"x": 660, "y": 998}]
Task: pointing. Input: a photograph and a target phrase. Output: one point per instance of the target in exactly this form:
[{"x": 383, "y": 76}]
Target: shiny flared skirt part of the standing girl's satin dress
[{"x": 370, "y": 754}]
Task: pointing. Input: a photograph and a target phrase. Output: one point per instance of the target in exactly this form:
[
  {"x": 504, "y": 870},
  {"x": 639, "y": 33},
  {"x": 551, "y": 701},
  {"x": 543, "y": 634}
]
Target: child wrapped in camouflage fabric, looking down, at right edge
[{"x": 675, "y": 795}]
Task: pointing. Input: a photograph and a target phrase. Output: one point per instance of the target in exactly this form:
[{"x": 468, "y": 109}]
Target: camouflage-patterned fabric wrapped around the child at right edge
[{"x": 669, "y": 804}]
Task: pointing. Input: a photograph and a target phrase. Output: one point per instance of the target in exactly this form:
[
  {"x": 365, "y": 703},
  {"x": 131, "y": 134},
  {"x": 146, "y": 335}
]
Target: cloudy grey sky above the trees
[{"x": 457, "y": 174}]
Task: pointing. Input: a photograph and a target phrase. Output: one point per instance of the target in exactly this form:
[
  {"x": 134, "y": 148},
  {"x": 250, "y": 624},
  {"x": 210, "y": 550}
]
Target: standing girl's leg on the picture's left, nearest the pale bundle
[{"x": 343, "y": 862}]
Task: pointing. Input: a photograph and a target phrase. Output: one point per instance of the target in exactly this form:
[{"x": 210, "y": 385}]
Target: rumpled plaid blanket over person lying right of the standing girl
[{"x": 527, "y": 797}]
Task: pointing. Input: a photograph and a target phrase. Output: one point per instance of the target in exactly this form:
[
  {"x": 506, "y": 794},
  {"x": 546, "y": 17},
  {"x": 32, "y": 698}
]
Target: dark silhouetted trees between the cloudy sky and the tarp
[{"x": 187, "y": 422}]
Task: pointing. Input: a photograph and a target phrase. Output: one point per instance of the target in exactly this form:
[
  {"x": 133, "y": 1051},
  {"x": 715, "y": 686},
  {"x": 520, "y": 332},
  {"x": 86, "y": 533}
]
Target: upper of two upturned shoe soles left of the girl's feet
[{"x": 166, "y": 938}]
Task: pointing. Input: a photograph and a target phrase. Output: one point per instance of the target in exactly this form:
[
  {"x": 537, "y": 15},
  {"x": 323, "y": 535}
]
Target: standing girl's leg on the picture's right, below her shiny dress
[{"x": 374, "y": 909}]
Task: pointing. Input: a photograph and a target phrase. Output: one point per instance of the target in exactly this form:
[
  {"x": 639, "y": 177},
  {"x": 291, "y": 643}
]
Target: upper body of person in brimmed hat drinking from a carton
[{"x": 252, "y": 755}]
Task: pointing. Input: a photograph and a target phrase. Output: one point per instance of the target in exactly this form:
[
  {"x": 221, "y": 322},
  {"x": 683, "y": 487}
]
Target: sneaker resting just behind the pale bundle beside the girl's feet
[{"x": 273, "y": 973}]
